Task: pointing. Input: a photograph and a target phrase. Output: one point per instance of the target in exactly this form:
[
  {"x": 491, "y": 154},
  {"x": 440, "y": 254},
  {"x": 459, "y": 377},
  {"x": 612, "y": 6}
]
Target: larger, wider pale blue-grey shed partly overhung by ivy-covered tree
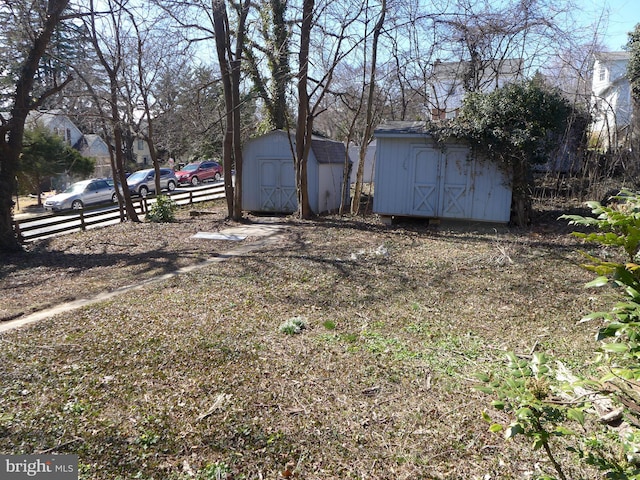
[{"x": 415, "y": 177}]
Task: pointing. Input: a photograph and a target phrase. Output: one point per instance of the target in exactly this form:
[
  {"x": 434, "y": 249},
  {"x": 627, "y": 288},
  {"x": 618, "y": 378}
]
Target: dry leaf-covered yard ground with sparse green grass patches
[{"x": 193, "y": 377}]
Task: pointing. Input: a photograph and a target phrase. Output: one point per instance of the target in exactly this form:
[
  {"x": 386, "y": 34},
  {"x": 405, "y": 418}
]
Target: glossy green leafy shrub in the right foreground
[{"x": 532, "y": 393}]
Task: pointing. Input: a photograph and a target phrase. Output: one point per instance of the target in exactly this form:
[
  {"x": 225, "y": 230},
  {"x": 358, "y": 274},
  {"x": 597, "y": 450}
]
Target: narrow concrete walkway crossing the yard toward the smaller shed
[{"x": 268, "y": 234}]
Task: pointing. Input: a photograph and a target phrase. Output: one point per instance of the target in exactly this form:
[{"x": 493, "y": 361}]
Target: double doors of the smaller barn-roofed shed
[{"x": 277, "y": 185}]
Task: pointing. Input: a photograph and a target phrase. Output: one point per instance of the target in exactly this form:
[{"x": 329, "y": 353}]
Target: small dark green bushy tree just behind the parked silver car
[{"x": 44, "y": 155}]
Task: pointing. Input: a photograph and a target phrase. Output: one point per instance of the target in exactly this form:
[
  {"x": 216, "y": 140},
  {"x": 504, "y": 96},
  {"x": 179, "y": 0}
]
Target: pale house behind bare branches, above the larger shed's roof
[{"x": 450, "y": 81}]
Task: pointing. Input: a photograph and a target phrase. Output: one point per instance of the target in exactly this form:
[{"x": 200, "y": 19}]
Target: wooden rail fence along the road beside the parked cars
[{"x": 52, "y": 224}]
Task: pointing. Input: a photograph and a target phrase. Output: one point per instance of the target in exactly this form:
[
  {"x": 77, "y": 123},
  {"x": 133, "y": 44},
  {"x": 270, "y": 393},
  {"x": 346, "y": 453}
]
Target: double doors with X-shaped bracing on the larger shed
[{"x": 442, "y": 182}]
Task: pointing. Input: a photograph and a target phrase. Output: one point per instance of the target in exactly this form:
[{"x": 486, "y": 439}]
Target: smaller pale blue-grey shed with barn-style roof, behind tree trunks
[{"x": 268, "y": 176}]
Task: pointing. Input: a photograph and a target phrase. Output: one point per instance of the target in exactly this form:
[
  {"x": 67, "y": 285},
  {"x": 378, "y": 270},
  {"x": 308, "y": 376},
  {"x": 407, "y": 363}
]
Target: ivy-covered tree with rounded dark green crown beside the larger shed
[{"x": 516, "y": 126}]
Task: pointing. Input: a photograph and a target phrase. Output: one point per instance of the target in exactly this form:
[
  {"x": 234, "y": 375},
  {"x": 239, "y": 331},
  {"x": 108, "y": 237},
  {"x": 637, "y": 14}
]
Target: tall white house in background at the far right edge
[{"x": 611, "y": 99}]
